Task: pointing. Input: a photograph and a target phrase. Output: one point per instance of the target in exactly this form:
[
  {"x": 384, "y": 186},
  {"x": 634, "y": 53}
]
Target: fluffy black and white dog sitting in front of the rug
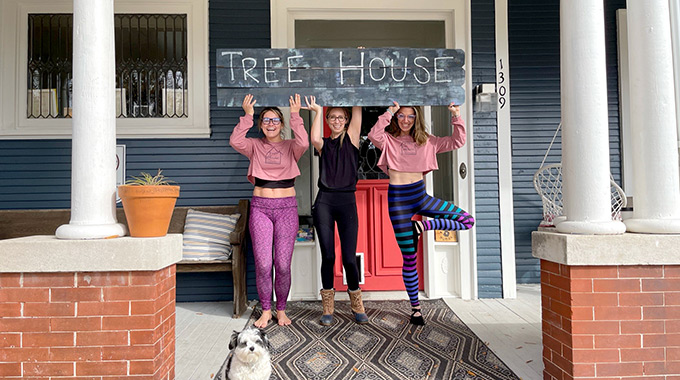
[{"x": 249, "y": 357}]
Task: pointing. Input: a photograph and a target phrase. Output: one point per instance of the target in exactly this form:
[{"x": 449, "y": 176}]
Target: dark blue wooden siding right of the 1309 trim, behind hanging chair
[{"x": 535, "y": 110}]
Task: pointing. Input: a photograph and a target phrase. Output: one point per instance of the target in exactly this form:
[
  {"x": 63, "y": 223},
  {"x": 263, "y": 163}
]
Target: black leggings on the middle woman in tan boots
[{"x": 329, "y": 209}]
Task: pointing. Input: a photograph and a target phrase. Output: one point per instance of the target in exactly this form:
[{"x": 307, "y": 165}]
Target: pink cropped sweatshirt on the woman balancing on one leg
[{"x": 403, "y": 154}]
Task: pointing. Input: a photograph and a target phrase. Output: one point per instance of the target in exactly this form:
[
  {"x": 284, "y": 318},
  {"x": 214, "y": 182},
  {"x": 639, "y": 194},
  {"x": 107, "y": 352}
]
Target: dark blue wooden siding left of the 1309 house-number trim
[{"x": 211, "y": 173}]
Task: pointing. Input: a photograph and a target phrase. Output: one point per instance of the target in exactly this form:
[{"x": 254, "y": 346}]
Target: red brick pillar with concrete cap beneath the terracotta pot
[{"x": 88, "y": 309}]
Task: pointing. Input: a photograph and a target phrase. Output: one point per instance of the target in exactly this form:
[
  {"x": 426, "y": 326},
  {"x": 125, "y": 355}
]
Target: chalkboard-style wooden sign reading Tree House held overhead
[{"x": 341, "y": 77}]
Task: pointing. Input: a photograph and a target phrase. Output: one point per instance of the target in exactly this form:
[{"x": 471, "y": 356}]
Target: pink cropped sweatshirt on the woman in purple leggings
[{"x": 271, "y": 161}]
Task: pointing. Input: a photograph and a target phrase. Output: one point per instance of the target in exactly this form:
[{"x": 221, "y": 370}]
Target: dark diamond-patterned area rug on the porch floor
[{"x": 387, "y": 348}]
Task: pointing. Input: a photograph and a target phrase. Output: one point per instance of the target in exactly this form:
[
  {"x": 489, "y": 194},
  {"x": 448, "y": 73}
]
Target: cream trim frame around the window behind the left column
[{"x": 14, "y": 123}]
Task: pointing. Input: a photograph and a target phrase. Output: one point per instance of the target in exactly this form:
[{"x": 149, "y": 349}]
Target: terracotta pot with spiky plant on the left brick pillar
[{"x": 148, "y": 202}]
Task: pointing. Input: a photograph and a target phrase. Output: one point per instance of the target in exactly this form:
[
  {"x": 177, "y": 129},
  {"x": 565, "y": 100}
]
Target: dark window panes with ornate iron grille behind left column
[{"x": 151, "y": 66}]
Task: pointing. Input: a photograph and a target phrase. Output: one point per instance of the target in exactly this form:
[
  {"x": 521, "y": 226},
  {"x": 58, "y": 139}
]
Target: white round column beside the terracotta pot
[{"x": 93, "y": 167}]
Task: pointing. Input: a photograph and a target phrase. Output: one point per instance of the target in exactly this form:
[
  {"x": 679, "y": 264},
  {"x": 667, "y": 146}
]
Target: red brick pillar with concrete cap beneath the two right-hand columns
[{"x": 610, "y": 321}]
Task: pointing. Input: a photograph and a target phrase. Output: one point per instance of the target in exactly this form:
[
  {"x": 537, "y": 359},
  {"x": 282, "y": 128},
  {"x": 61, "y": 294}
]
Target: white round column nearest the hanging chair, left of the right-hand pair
[{"x": 585, "y": 137}]
